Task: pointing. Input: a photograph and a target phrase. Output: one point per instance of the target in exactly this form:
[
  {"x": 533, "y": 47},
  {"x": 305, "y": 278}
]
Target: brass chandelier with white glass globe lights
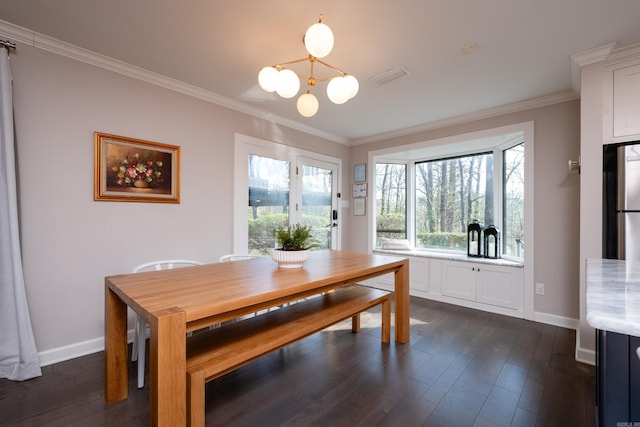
[{"x": 318, "y": 40}]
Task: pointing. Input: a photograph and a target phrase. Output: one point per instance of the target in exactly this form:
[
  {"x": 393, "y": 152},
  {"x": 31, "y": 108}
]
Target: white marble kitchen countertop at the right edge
[{"x": 613, "y": 295}]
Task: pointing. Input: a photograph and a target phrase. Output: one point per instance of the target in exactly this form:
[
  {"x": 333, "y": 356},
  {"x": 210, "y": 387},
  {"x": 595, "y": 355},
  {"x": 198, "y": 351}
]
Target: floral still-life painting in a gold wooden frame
[{"x": 133, "y": 170}]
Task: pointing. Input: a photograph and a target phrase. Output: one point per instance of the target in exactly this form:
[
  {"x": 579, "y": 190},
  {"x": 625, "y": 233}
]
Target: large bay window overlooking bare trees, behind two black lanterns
[{"x": 428, "y": 193}]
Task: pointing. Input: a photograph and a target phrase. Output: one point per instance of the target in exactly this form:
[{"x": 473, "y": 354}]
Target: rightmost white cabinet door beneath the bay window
[{"x": 496, "y": 286}]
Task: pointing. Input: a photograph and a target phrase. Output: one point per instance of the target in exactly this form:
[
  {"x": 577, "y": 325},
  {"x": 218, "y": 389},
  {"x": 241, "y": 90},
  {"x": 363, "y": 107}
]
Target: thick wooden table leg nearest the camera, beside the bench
[{"x": 168, "y": 368}]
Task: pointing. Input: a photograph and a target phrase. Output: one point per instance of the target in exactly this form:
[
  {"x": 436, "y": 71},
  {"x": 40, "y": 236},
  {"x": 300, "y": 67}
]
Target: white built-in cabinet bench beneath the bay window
[{"x": 494, "y": 285}]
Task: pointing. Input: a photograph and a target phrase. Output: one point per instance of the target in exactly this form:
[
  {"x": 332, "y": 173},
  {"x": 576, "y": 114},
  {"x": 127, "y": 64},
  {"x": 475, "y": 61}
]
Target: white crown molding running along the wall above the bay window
[{"x": 529, "y": 104}]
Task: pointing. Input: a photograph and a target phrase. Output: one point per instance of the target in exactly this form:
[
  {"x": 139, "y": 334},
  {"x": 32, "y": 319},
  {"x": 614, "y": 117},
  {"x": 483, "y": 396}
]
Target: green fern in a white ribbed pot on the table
[{"x": 293, "y": 245}]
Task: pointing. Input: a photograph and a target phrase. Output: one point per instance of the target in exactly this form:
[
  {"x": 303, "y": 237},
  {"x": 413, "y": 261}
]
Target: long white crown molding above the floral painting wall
[{"x": 41, "y": 41}]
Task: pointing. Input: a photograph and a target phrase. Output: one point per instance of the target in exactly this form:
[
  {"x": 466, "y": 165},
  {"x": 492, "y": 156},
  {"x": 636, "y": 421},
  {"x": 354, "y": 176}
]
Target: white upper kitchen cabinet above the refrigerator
[{"x": 622, "y": 97}]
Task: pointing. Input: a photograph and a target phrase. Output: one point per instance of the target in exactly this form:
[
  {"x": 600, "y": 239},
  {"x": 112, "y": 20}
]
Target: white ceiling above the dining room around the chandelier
[{"x": 524, "y": 49}]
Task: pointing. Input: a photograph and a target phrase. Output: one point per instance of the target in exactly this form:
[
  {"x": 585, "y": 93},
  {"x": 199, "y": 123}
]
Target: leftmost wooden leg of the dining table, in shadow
[{"x": 115, "y": 346}]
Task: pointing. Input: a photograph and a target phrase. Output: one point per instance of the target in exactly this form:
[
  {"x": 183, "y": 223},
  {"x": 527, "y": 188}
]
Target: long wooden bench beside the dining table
[{"x": 216, "y": 352}]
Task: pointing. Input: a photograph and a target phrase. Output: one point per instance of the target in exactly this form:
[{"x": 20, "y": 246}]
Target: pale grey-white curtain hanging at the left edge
[{"x": 18, "y": 354}]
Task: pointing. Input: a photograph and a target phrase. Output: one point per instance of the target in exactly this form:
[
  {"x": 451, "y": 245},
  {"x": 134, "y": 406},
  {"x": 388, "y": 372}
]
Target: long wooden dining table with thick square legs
[{"x": 175, "y": 302}]
